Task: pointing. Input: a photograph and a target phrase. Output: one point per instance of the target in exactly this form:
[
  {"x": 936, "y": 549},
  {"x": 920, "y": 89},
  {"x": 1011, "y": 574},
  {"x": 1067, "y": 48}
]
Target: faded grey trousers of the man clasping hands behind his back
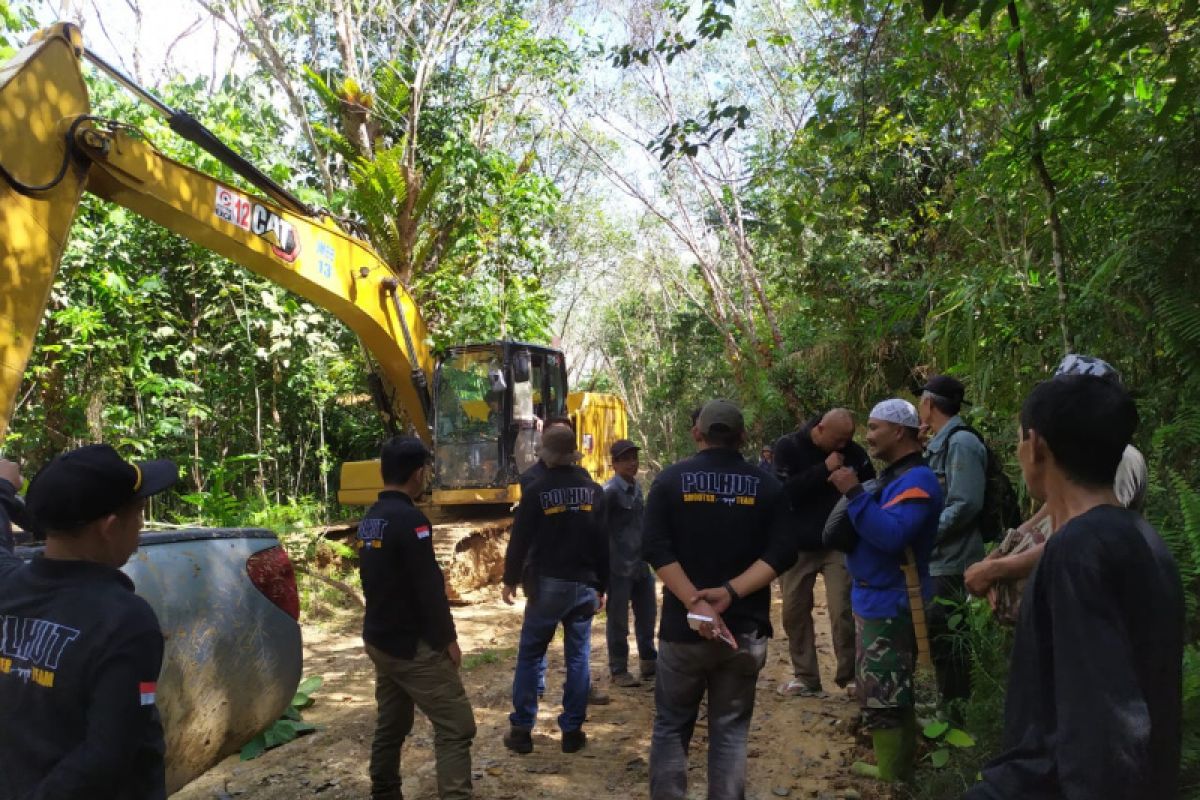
[{"x": 687, "y": 671}]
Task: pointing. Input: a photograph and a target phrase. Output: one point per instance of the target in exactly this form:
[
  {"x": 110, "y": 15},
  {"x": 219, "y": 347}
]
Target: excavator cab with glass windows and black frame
[{"x": 493, "y": 402}]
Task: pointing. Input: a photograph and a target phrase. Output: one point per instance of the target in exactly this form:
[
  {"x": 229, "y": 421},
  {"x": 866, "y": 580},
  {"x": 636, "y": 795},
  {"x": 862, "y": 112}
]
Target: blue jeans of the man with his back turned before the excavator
[{"x": 574, "y": 605}]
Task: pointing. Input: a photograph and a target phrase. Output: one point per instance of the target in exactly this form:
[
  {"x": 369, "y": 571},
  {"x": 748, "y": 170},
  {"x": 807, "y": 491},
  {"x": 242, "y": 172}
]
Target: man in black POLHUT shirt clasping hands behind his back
[{"x": 710, "y": 533}]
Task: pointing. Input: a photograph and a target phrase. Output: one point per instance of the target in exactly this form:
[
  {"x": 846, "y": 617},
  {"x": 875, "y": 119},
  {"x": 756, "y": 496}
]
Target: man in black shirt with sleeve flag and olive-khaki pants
[{"x": 409, "y": 631}]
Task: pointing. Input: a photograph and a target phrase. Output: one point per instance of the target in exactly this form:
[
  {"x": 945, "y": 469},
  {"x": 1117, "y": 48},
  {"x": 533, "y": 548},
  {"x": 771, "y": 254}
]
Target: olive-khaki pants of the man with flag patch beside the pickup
[{"x": 429, "y": 682}]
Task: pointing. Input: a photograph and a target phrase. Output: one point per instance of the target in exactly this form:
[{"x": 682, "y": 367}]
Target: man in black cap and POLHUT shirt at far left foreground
[{"x": 81, "y": 653}]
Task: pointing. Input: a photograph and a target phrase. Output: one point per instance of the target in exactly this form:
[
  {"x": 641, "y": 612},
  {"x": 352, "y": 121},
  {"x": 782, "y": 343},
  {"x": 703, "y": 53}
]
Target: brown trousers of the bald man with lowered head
[{"x": 796, "y": 587}]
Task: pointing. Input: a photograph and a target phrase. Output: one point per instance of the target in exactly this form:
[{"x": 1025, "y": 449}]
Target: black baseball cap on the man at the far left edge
[{"x": 85, "y": 485}]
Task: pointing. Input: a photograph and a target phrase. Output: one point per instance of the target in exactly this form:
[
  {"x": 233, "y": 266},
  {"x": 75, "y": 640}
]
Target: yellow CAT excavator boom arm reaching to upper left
[{"x": 51, "y": 151}]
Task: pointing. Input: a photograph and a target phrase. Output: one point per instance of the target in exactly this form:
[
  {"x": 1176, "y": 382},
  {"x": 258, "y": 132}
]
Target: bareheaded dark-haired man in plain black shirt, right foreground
[{"x": 1094, "y": 707}]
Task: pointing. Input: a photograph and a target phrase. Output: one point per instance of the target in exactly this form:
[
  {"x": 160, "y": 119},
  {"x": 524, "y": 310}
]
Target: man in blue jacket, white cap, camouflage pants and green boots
[{"x": 896, "y": 524}]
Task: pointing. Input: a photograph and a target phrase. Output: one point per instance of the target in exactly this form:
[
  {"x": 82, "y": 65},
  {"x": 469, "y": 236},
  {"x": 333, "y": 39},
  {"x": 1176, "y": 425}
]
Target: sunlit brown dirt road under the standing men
[{"x": 799, "y": 748}]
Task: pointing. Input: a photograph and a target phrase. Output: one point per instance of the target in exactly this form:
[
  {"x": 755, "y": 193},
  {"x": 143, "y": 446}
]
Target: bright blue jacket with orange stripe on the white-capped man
[{"x": 904, "y": 515}]
